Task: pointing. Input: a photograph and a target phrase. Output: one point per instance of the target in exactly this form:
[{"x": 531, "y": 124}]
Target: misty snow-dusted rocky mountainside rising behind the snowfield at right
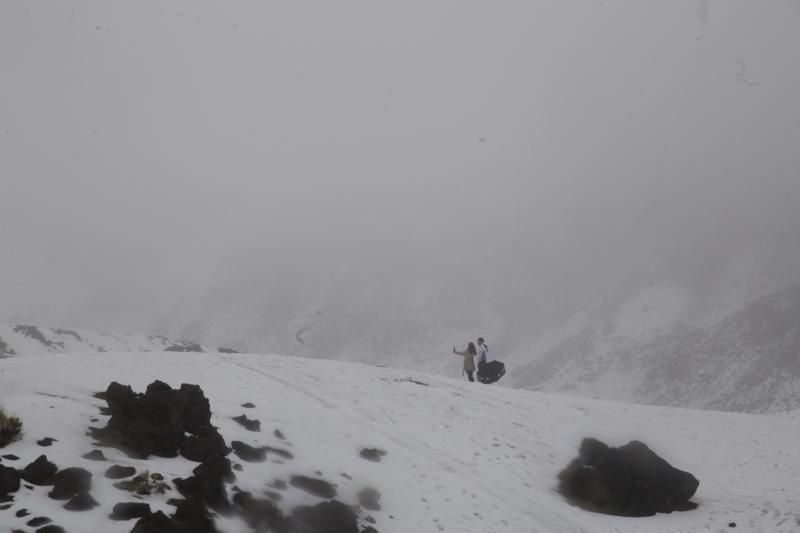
[{"x": 748, "y": 361}]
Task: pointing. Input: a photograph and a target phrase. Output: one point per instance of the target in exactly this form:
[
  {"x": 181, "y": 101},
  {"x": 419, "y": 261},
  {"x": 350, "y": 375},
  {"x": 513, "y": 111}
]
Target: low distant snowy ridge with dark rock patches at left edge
[{"x": 25, "y": 339}]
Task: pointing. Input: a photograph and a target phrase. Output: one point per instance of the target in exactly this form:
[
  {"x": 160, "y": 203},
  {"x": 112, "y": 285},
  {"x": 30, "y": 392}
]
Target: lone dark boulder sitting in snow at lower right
[{"x": 630, "y": 480}]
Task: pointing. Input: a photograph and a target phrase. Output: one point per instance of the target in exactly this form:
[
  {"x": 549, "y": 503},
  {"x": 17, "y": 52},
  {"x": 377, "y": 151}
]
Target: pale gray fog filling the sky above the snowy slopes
[{"x": 467, "y": 164}]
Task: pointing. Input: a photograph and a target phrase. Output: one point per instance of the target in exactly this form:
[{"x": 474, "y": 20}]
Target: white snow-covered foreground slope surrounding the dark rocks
[{"x": 461, "y": 457}]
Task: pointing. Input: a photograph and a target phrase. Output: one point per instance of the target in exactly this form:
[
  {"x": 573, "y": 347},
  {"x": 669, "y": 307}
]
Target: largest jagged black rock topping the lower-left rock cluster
[{"x": 156, "y": 422}]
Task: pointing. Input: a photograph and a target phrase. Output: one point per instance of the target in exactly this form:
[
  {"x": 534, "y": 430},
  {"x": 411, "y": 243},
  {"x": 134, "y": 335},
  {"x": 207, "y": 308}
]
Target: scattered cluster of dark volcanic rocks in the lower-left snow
[{"x": 168, "y": 422}]
